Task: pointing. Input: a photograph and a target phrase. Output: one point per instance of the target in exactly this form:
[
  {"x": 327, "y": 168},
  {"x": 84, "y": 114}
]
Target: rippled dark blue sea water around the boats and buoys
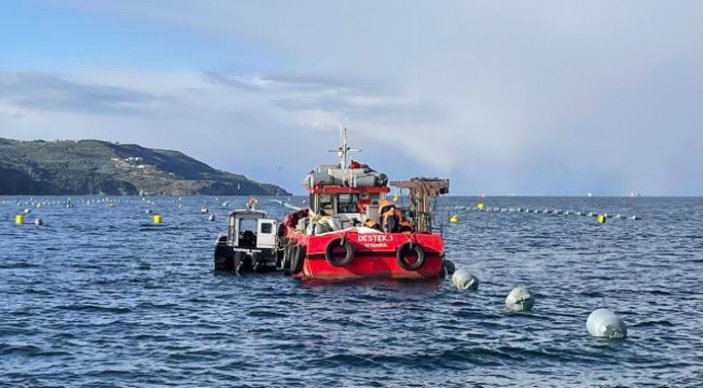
[{"x": 101, "y": 297}]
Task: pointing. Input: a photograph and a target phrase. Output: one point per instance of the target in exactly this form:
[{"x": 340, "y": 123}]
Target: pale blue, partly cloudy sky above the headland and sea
[{"x": 502, "y": 97}]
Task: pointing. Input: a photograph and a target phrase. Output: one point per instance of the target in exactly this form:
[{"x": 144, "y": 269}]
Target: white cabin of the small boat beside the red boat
[{"x": 251, "y": 230}]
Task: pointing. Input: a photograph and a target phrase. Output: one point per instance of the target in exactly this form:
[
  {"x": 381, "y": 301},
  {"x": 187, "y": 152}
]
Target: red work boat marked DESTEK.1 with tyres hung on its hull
[{"x": 352, "y": 231}]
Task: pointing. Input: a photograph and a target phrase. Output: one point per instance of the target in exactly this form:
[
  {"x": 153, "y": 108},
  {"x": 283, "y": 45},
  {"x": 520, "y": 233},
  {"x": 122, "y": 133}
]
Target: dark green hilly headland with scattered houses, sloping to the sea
[{"x": 98, "y": 167}]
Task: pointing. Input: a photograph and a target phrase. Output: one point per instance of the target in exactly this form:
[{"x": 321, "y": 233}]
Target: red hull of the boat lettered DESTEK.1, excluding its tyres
[{"x": 375, "y": 255}]
